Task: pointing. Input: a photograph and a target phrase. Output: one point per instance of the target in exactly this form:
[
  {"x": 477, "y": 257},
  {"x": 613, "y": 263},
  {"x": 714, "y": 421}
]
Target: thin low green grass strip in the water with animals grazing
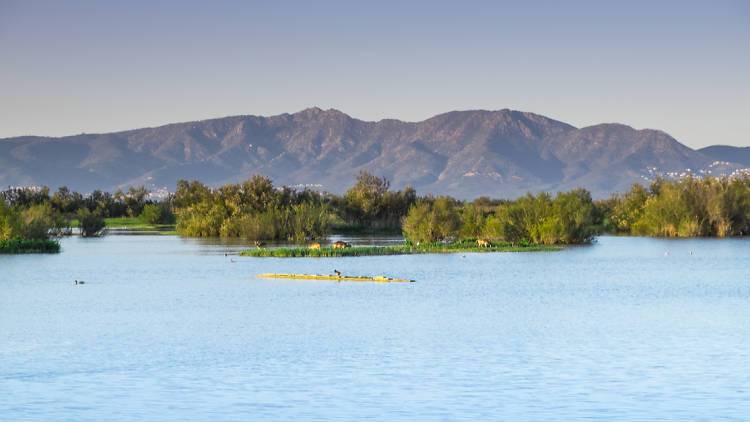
[{"x": 391, "y": 250}]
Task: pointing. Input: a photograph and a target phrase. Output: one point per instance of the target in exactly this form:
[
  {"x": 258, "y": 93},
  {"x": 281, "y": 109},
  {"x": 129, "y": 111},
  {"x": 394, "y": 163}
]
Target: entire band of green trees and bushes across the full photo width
[{"x": 257, "y": 210}]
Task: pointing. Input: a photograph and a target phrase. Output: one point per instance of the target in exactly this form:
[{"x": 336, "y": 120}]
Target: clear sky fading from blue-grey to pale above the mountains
[{"x": 69, "y": 67}]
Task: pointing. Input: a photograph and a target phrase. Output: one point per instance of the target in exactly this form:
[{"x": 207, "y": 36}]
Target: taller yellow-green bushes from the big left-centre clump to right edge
[{"x": 667, "y": 208}]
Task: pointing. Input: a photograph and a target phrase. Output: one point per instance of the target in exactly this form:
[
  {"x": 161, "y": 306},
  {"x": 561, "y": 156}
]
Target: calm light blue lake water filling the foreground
[{"x": 170, "y": 329}]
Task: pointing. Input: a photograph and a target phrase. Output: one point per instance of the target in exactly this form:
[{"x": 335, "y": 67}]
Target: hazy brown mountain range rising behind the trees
[{"x": 466, "y": 154}]
